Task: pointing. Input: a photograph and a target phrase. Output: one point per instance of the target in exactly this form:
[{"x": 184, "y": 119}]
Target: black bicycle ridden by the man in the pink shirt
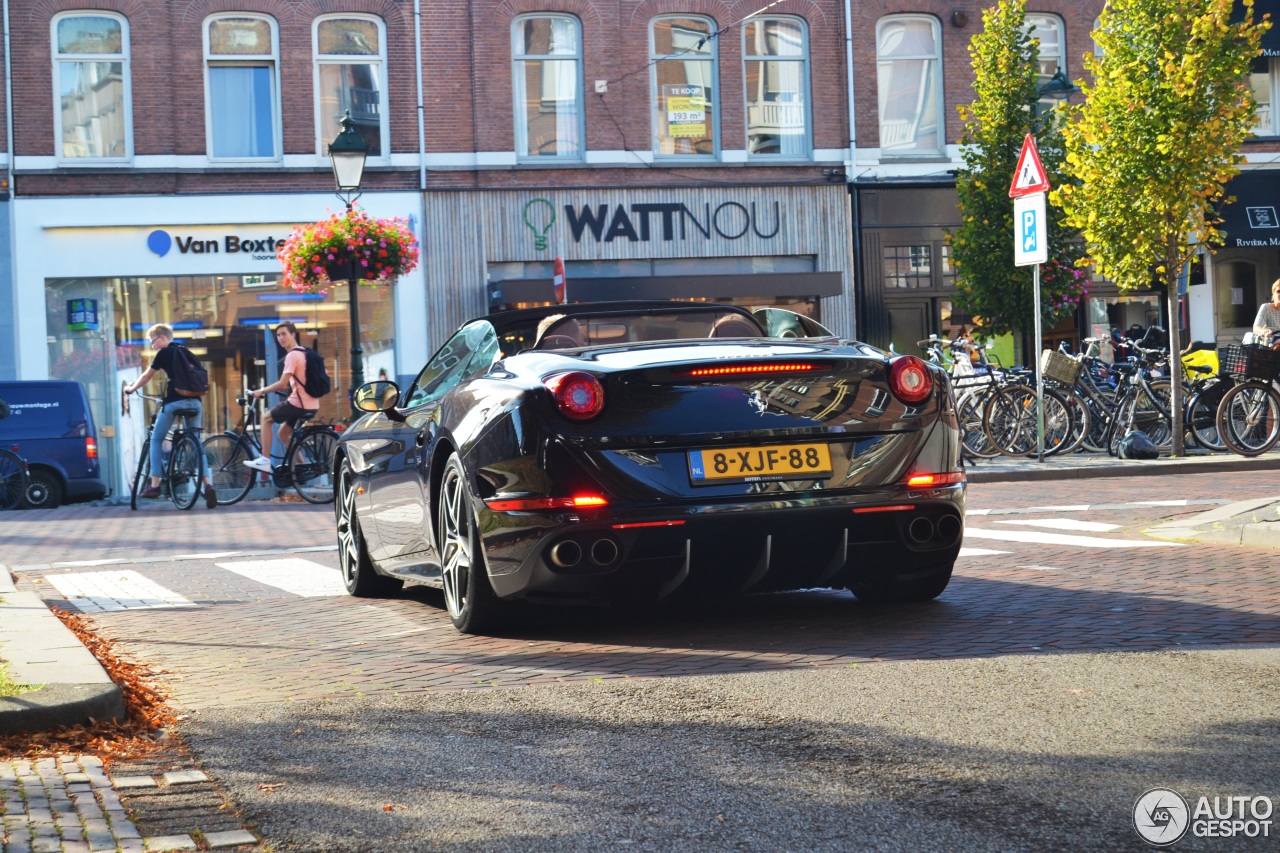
[{"x": 307, "y": 467}]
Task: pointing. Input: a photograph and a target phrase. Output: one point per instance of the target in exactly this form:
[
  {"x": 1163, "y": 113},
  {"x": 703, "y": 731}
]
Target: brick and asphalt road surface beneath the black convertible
[{"x": 1073, "y": 665}]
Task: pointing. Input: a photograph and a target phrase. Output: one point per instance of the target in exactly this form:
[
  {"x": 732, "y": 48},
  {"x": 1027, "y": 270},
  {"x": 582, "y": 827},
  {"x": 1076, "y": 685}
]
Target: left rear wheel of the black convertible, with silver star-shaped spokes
[{"x": 472, "y": 603}]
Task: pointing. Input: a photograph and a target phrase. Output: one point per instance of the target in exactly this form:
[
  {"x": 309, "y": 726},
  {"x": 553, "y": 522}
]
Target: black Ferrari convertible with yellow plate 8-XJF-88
[{"x": 604, "y": 453}]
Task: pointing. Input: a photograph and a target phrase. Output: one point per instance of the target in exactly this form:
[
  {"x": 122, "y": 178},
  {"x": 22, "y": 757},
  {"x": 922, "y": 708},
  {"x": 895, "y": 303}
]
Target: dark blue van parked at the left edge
[{"x": 51, "y": 426}]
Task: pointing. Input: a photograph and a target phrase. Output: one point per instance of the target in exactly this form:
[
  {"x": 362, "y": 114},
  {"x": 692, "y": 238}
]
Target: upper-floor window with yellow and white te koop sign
[{"x": 683, "y": 61}]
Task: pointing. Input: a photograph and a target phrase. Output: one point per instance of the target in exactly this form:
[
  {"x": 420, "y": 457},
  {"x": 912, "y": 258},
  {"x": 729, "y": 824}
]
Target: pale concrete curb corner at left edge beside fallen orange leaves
[{"x": 39, "y": 650}]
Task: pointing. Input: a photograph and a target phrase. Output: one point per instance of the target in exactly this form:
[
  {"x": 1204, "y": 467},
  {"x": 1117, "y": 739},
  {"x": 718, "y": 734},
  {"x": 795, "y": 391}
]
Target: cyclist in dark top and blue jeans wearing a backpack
[{"x": 188, "y": 382}]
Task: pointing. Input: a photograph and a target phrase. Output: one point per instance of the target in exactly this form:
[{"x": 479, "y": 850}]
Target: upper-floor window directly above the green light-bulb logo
[{"x": 547, "y": 71}]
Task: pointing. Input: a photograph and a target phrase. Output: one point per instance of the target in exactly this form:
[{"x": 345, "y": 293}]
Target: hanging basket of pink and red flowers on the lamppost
[{"x": 319, "y": 256}]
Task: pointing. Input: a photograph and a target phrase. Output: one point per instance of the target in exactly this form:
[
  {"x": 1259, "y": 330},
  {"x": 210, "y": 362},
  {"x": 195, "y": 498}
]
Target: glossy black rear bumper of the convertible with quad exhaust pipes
[{"x": 728, "y": 549}]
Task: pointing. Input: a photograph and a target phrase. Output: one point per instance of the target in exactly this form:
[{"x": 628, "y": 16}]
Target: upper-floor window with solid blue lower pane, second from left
[{"x": 244, "y": 103}]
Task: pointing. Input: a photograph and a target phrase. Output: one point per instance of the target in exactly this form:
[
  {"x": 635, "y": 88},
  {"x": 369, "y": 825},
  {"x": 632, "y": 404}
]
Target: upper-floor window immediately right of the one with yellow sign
[{"x": 776, "y": 53}]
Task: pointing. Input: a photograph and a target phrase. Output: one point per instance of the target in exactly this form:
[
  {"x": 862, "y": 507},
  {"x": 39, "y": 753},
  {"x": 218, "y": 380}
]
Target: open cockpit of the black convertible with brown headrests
[{"x": 633, "y": 327}]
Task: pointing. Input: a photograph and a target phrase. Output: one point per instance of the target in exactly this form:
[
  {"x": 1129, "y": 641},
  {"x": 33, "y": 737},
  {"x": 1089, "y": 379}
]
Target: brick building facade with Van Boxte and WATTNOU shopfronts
[{"x": 691, "y": 149}]
